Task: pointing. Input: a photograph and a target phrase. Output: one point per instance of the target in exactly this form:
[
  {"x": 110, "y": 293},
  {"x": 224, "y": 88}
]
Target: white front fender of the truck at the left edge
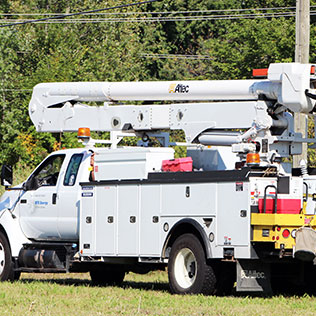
[{"x": 9, "y": 223}]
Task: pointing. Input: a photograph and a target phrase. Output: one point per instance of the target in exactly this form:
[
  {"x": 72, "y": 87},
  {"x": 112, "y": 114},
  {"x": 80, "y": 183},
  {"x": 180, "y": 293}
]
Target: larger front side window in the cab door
[{"x": 47, "y": 173}]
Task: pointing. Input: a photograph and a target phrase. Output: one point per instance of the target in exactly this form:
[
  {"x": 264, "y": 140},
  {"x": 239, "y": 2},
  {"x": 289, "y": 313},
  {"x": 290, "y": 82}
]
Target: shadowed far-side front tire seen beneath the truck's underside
[{"x": 107, "y": 276}]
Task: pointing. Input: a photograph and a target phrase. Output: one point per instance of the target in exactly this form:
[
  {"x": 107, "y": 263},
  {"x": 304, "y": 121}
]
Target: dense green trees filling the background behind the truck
[{"x": 34, "y": 53}]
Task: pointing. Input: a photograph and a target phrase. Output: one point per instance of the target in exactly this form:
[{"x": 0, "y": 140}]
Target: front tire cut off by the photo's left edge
[{"x": 6, "y": 264}]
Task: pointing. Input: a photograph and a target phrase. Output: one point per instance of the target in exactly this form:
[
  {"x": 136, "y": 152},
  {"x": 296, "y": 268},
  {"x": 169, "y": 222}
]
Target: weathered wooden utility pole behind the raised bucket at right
[{"x": 301, "y": 56}]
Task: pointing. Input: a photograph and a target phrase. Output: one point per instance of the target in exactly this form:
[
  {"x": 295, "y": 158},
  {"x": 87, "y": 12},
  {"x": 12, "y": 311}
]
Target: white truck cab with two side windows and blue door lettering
[{"x": 48, "y": 208}]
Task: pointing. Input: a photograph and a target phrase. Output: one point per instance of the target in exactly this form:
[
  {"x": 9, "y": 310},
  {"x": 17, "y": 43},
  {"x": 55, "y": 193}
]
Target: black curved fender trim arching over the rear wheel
[{"x": 197, "y": 228}]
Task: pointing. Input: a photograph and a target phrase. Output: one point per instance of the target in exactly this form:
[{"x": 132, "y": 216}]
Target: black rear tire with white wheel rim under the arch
[{"x": 188, "y": 270}]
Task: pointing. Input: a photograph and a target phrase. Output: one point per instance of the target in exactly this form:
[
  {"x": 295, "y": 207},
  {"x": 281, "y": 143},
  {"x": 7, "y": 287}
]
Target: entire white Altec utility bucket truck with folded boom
[{"x": 231, "y": 211}]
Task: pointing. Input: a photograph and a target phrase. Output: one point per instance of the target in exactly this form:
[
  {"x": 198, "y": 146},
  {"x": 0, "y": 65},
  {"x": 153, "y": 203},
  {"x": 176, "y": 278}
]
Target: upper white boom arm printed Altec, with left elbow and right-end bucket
[{"x": 286, "y": 84}]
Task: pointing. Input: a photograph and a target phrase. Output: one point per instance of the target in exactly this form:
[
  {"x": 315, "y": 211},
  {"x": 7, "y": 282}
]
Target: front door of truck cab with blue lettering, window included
[{"x": 38, "y": 204}]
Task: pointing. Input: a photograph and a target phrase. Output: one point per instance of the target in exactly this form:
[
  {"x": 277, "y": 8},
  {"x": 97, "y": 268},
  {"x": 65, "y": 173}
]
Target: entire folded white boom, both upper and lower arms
[{"x": 255, "y": 105}]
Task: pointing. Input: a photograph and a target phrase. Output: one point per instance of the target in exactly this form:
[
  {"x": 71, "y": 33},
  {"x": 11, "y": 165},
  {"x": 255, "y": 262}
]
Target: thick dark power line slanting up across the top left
[{"x": 62, "y": 16}]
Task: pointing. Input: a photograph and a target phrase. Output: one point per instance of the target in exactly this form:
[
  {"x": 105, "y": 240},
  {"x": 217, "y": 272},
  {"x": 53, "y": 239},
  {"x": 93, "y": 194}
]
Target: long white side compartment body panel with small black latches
[{"x": 131, "y": 217}]
